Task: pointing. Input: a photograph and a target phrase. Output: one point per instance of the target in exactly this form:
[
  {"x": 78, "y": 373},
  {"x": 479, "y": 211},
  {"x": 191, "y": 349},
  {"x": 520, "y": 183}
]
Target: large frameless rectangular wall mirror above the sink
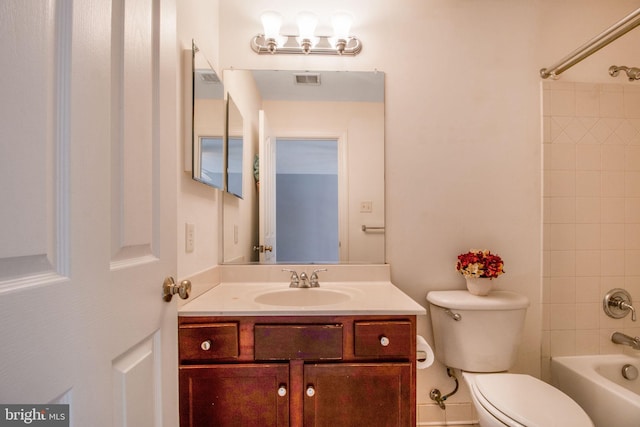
[{"x": 343, "y": 113}]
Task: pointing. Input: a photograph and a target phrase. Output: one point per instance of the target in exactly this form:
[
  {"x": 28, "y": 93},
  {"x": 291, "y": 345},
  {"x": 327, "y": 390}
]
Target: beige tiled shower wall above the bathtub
[{"x": 591, "y": 217}]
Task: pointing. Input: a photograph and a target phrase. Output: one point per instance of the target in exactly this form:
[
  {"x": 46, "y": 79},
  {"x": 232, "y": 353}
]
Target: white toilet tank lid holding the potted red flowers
[{"x": 463, "y": 300}]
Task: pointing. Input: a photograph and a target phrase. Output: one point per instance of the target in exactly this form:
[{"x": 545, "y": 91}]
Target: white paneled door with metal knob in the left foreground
[{"x": 88, "y": 175}]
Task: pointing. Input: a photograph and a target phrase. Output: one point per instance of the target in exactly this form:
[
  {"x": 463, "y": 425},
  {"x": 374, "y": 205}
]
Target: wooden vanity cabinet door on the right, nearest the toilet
[{"x": 357, "y": 394}]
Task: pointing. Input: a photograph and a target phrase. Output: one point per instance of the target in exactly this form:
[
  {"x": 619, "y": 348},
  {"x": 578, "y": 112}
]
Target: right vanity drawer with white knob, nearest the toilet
[{"x": 383, "y": 339}]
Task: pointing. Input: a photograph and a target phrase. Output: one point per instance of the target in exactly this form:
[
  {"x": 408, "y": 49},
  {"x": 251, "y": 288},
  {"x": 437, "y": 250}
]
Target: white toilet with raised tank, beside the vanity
[{"x": 480, "y": 336}]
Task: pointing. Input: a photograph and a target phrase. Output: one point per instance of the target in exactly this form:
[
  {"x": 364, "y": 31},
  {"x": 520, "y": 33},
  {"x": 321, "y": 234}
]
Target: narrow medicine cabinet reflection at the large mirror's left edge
[{"x": 234, "y": 148}]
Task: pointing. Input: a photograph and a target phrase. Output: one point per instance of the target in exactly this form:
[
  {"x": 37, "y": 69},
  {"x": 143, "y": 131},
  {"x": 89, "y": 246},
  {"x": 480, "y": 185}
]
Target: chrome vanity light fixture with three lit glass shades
[{"x": 306, "y": 42}]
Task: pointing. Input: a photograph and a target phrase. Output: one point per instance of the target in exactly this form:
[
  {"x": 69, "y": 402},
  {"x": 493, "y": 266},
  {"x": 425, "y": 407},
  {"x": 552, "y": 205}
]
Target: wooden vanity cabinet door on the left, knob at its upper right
[{"x": 234, "y": 395}]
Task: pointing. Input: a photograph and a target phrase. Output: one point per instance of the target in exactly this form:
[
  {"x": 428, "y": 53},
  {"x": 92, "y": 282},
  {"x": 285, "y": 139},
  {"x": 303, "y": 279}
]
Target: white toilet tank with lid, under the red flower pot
[{"x": 477, "y": 333}]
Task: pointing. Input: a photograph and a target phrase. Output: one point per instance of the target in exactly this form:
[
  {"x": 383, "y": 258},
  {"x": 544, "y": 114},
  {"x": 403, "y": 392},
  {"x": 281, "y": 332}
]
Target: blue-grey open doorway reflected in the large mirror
[{"x": 307, "y": 200}]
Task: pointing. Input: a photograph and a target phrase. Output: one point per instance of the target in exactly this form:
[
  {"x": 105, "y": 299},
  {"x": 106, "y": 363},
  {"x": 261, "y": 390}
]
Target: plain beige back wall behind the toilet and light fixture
[{"x": 463, "y": 129}]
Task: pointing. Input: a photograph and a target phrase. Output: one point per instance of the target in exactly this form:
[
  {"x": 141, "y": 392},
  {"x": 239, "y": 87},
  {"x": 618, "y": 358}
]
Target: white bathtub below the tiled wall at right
[{"x": 596, "y": 383}]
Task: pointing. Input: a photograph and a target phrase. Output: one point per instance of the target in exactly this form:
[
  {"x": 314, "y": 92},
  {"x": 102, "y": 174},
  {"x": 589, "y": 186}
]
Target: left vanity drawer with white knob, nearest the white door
[{"x": 209, "y": 341}]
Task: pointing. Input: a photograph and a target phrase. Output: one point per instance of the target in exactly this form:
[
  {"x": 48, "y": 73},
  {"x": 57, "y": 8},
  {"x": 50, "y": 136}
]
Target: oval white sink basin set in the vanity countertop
[{"x": 302, "y": 297}]
